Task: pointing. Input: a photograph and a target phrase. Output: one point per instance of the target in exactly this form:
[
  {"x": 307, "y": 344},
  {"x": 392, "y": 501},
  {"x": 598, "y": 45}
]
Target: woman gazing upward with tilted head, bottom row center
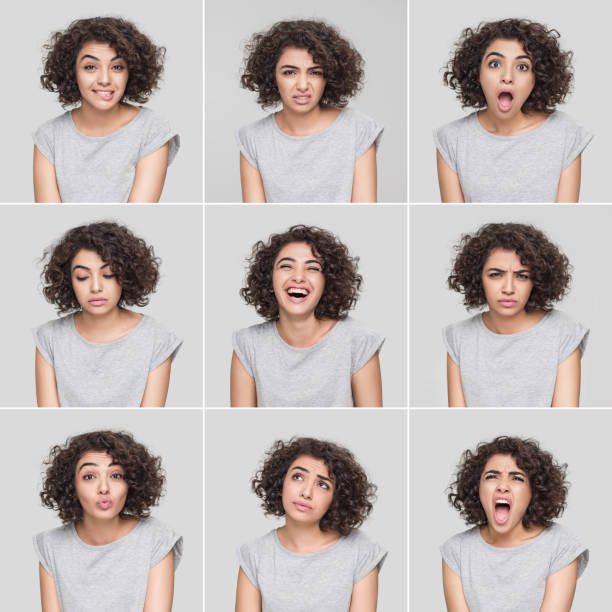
[{"x": 317, "y": 560}]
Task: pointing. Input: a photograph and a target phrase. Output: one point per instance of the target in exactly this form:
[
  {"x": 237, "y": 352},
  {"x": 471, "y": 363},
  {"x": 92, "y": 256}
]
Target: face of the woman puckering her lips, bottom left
[{"x": 100, "y": 485}]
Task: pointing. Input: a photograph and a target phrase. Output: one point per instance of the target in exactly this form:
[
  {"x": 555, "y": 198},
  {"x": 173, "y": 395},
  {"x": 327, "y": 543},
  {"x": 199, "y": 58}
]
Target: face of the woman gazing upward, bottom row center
[{"x": 308, "y": 490}]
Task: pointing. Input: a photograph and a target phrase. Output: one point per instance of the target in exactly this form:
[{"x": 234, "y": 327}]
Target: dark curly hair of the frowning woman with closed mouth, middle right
[{"x": 549, "y": 269}]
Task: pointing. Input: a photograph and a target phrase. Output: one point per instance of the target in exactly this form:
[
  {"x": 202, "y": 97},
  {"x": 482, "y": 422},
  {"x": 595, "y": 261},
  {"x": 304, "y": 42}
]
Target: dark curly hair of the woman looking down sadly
[{"x": 131, "y": 260}]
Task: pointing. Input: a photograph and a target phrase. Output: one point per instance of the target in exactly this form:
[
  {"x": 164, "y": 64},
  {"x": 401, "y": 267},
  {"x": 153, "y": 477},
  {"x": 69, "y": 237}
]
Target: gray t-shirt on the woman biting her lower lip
[{"x": 101, "y": 169}]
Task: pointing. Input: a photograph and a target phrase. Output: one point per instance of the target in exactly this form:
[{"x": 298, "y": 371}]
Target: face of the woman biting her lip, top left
[{"x": 101, "y": 76}]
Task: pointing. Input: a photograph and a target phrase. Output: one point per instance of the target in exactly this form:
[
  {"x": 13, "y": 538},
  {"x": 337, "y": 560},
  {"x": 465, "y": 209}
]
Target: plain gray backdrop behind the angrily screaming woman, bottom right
[{"x": 441, "y": 436}]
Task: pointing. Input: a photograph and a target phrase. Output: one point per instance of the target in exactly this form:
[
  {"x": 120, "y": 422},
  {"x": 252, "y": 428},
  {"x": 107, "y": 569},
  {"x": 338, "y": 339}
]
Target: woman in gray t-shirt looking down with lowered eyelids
[{"x": 102, "y": 354}]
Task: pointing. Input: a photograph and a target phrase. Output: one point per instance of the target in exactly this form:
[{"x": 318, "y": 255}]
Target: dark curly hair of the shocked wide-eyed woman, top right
[{"x": 552, "y": 66}]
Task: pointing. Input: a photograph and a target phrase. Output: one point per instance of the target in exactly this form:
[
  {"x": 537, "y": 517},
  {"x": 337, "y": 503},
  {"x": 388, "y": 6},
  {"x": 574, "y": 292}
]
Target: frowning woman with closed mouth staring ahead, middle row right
[{"x": 520, "y": 352}]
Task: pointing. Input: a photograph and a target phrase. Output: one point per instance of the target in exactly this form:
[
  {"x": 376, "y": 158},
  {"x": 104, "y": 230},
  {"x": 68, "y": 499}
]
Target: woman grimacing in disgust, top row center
[{"x": 313, "y": 149}]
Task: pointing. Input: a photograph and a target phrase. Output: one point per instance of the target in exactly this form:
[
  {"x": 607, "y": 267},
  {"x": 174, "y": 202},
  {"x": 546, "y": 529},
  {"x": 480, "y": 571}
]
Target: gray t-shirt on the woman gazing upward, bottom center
[{"x": 321, "y": 581}]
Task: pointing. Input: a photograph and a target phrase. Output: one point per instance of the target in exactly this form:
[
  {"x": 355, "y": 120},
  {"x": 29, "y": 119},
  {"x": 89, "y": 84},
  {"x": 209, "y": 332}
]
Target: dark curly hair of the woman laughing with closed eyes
[{"x": 342, "y": 282}]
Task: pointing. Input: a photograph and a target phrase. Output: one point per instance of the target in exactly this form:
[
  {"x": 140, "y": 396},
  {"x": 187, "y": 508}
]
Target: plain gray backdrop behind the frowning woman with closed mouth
[{"x": 580, "y": 231}]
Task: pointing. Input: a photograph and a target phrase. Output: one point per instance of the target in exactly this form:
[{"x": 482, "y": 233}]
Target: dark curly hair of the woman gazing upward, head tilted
[{"x": 353, "y": 493}]
